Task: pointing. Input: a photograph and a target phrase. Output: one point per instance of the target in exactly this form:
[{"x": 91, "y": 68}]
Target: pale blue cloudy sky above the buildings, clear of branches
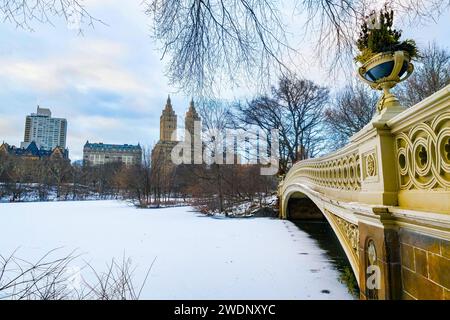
[{"x": 109, "y": 83}]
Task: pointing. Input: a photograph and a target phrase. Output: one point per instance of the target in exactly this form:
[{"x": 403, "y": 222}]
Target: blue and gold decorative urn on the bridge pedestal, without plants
[{"x": 383, "y": 71}]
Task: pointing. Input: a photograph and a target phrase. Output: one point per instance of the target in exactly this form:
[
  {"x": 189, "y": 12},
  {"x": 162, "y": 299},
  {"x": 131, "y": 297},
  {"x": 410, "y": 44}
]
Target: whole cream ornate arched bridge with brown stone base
[{"x": 387, "y": 197}]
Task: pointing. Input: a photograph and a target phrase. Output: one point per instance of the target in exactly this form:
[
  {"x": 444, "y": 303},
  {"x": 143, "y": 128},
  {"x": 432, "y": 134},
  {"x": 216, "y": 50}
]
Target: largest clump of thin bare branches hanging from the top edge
[{"x": 211, "y": 42}]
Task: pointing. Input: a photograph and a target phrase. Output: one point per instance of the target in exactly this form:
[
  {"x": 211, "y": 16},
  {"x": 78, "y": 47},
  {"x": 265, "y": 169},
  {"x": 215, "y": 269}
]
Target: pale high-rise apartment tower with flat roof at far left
[{"x": 47, "y": 132}]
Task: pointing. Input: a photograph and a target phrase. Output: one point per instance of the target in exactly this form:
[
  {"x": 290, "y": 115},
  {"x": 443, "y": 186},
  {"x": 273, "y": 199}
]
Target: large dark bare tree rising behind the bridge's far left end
[{"x": 295, "y": 107}]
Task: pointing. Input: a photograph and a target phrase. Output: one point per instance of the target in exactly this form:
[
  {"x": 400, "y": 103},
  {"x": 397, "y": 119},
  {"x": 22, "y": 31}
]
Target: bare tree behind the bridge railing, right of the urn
[{"x": 431, "y": 74}]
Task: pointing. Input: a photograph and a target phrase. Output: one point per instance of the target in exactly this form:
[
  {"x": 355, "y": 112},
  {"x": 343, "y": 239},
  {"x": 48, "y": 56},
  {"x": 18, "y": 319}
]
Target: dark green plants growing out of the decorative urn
[{"x": 378, "y": 35}]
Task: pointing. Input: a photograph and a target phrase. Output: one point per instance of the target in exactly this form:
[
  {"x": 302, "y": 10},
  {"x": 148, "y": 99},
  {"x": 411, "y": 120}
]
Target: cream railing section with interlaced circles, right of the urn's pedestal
[{"x": 422, "y": 149}]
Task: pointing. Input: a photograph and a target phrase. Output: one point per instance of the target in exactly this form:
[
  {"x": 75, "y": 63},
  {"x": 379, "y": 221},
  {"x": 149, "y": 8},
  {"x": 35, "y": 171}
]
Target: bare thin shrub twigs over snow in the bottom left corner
[{"x": 51, "y": 278}]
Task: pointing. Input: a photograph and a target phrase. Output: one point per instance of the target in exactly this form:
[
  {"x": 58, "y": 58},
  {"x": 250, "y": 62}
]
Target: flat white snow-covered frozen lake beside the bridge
[{"x": 197, "y": 257}]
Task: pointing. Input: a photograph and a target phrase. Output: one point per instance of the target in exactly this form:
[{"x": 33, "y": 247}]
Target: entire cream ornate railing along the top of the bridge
[{"x": 403, "y": 161}]
